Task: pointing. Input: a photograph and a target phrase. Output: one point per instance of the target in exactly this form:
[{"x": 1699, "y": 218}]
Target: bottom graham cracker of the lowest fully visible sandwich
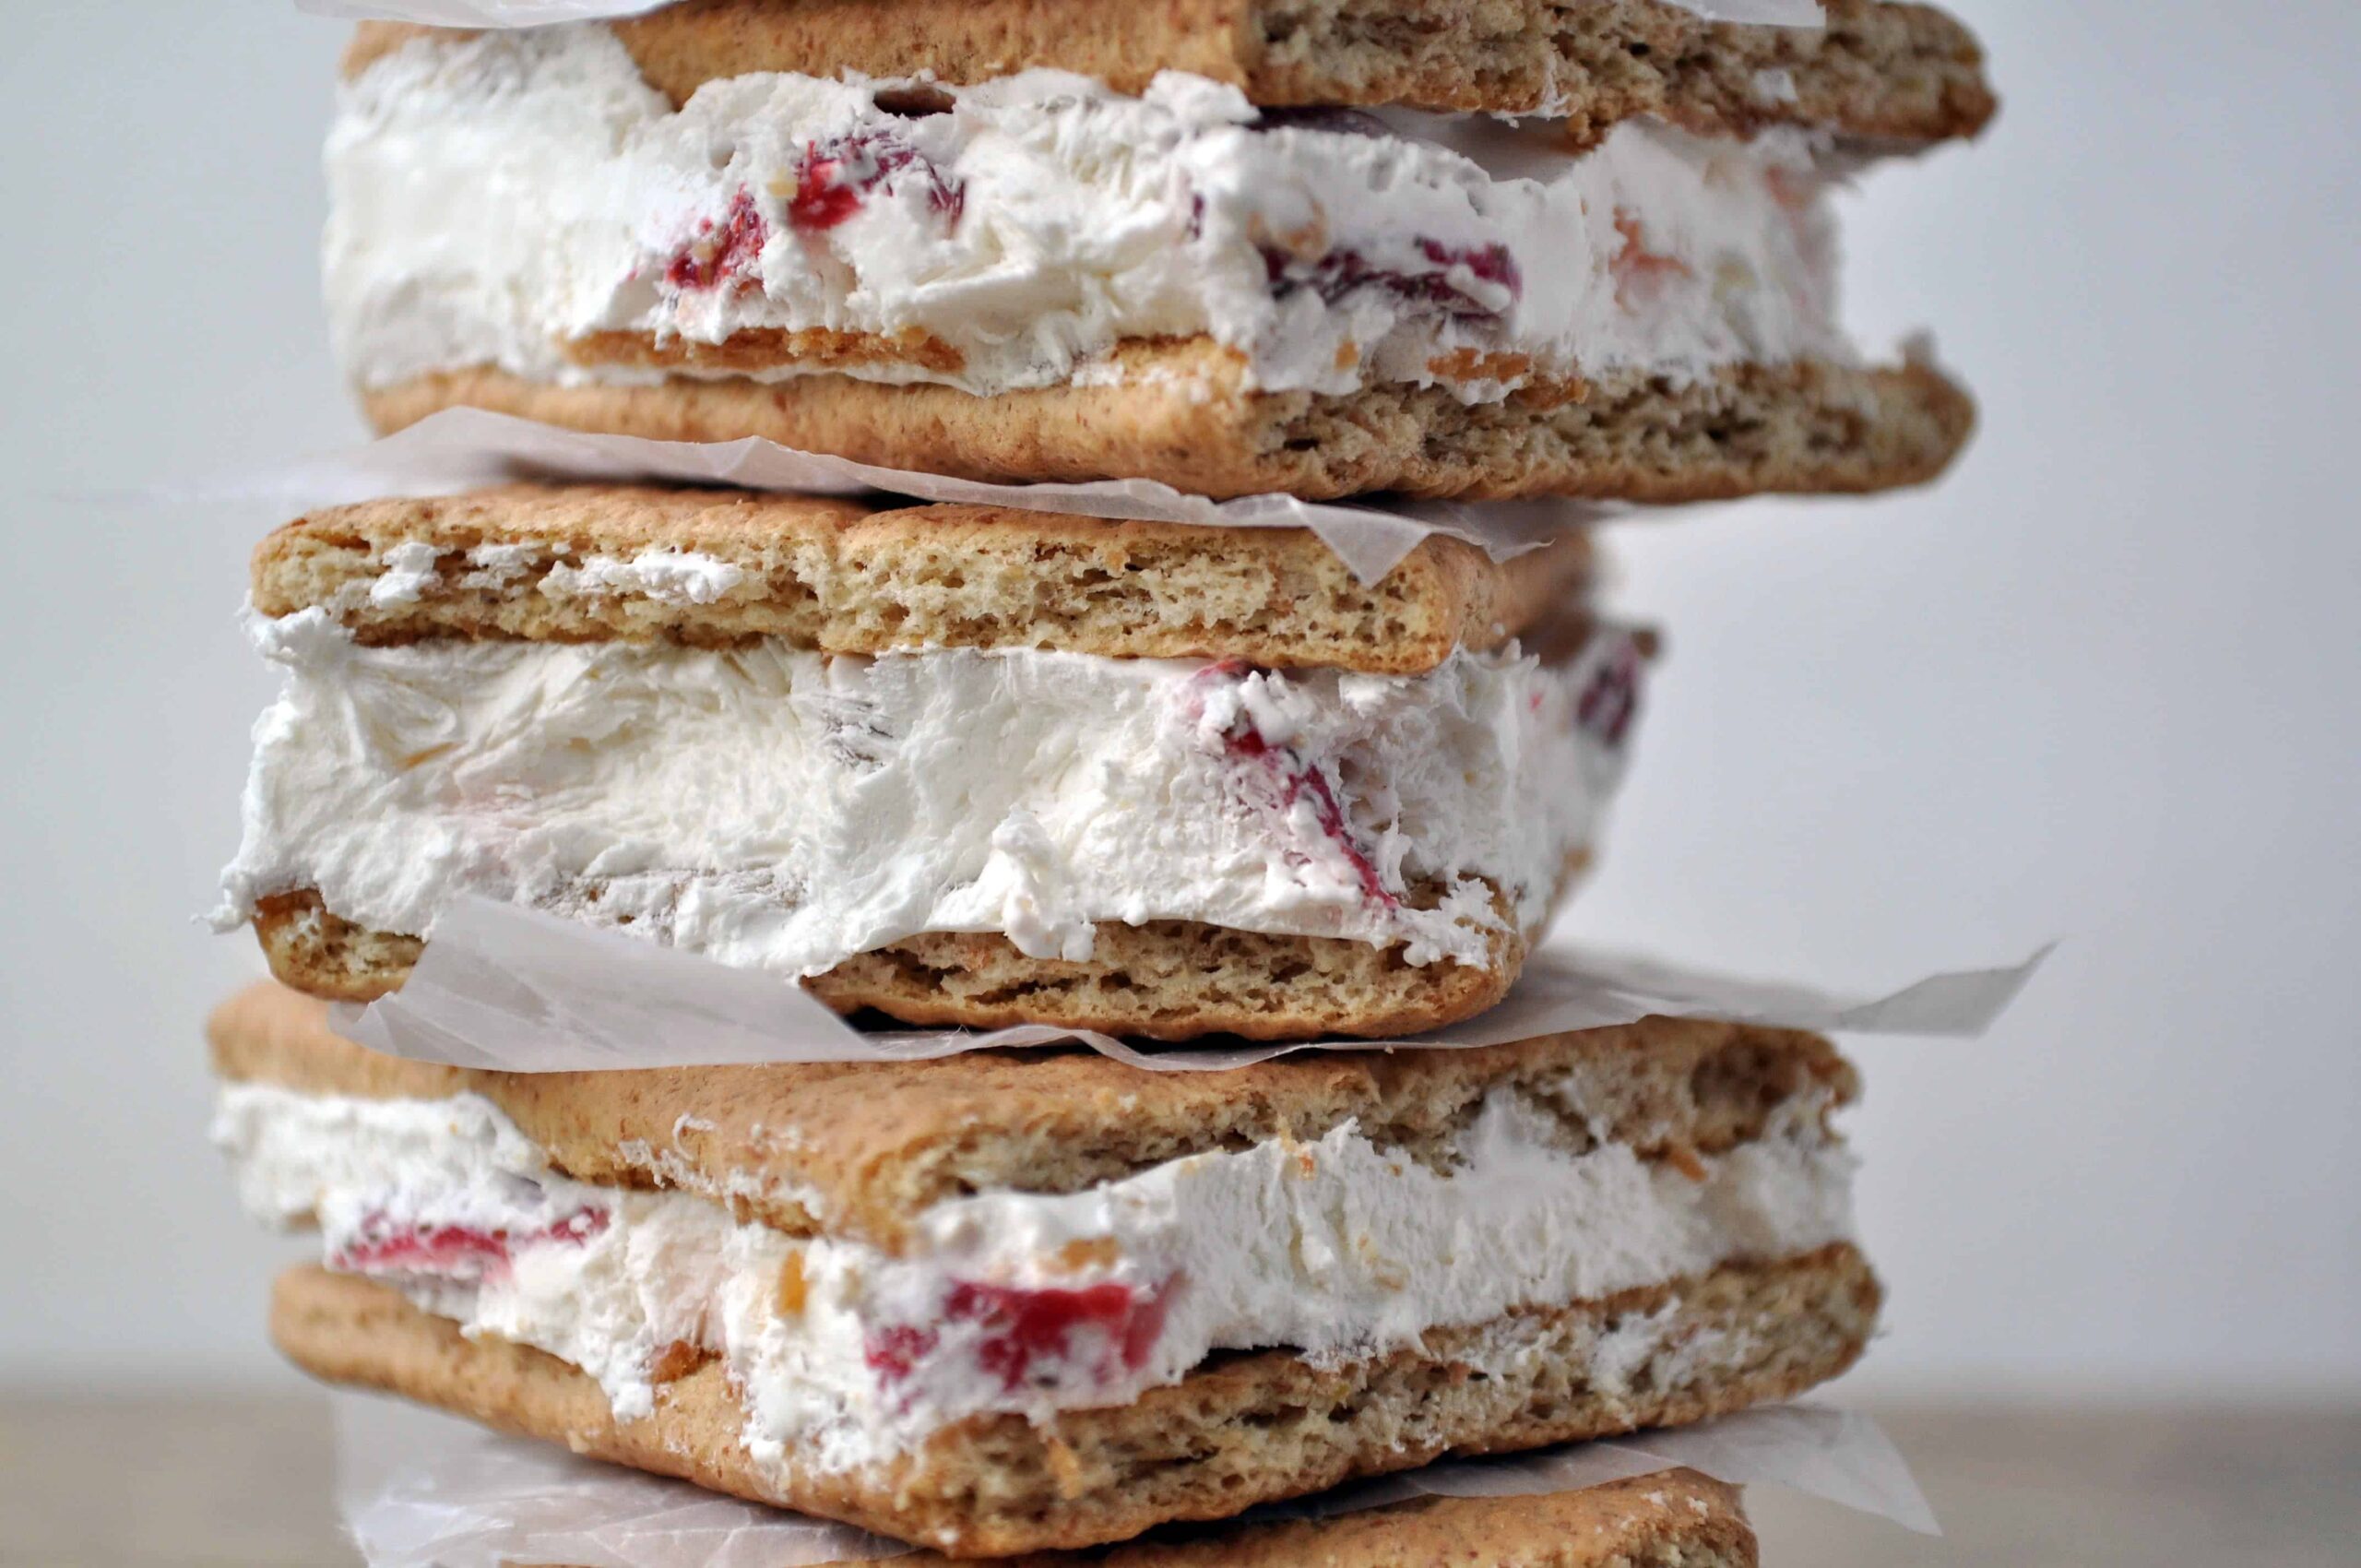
[{"x": 1243, "y": 1430}]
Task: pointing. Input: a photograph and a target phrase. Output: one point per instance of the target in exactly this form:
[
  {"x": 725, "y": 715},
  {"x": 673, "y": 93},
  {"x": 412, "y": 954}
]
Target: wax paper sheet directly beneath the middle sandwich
[{"x": 530, "y": 993}]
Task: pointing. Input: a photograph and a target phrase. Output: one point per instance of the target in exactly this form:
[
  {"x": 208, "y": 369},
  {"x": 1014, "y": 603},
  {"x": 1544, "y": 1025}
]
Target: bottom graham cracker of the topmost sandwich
[{"x": 1182, "y": 414}]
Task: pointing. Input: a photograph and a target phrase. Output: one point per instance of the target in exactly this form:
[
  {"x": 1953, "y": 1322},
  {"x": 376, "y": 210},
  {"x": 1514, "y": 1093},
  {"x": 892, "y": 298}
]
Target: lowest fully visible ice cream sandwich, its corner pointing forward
[{"x": 1002, "y": 1305}]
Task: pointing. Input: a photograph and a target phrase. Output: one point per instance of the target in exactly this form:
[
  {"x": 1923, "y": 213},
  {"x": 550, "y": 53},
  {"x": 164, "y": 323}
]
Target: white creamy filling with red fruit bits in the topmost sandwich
[{"x": 502, "y": 197}]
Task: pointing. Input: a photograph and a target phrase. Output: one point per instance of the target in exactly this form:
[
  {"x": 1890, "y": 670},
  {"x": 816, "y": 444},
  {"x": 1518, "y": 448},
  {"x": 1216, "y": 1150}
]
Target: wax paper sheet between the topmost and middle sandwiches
[{"x": 469, "y": 447}]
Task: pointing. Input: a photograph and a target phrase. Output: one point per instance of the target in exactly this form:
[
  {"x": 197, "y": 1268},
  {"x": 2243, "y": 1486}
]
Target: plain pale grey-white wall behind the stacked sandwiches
[{"x": 2102, "y": 686}]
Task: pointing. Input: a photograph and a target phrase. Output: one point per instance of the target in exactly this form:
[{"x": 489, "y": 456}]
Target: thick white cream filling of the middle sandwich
[{"x": 780, "y": 809}]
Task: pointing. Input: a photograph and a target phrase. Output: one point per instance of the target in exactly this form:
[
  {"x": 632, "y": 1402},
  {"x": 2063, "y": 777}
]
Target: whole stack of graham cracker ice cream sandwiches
[{"x": 974, "y": 766}]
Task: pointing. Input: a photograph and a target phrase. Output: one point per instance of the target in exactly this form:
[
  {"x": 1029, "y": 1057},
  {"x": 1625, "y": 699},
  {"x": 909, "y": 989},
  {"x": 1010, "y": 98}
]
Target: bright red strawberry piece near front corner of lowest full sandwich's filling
[{"x": 1035, "y": 1333}]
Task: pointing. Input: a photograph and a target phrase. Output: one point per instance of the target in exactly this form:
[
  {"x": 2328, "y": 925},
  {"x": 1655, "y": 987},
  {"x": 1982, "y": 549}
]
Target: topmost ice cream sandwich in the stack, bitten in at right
[{"x": 700, "y": 228}]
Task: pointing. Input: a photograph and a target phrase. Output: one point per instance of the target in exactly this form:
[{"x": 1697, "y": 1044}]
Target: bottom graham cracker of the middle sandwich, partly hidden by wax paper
[{"x": 1156, "y": 981}]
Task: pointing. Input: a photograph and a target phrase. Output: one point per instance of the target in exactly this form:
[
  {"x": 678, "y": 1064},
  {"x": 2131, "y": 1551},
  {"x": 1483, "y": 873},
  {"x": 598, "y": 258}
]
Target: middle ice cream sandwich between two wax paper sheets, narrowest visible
[{"x": 950, "y": 764}]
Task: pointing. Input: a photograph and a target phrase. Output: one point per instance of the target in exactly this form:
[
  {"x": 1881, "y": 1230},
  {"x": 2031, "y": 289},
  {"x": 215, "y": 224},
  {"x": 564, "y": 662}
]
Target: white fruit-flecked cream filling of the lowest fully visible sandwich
[{"x": 1023, "y": 1302}]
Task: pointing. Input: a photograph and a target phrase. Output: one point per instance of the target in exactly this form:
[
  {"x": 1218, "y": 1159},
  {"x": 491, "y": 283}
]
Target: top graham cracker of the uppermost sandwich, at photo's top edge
[{"x": 1878, "y": 70}]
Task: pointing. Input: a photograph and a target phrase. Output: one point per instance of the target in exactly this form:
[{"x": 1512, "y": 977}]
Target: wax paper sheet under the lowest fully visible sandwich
[{"x": 429, "y": 1491}]
